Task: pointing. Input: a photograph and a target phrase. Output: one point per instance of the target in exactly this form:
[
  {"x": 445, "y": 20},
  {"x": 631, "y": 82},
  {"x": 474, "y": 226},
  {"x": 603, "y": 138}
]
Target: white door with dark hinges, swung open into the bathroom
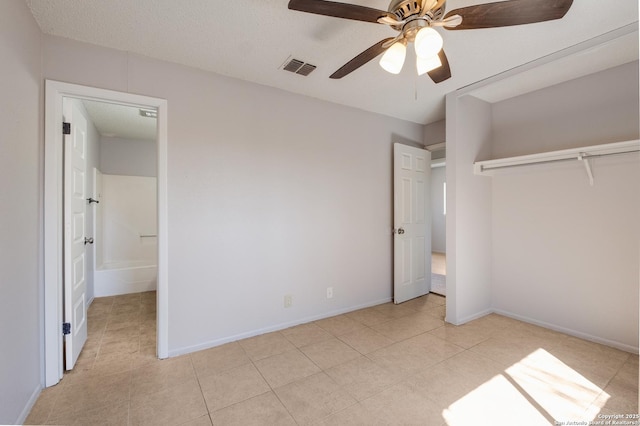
[{"x": 75, "y": 270}]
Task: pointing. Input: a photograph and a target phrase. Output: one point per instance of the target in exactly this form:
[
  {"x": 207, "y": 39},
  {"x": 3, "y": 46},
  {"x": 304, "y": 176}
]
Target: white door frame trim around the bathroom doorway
[{"x": 55, "y": 91}]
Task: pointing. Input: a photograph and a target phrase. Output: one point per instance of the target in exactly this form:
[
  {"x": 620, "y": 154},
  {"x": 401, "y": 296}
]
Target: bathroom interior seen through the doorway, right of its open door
[{"x": 120, "y": 233}]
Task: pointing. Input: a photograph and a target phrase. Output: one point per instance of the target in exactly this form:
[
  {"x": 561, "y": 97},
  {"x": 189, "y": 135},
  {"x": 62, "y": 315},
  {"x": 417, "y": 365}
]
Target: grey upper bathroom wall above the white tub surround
[{"x": 128, "y": 157}]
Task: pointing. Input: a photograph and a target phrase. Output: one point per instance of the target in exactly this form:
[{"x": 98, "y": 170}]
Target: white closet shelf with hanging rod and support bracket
[{"x": 583, "y": 154}]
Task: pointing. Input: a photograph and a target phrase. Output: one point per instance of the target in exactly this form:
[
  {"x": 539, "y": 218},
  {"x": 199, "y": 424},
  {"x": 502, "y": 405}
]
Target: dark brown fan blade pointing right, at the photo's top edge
[{"x": 511, "y": 12}]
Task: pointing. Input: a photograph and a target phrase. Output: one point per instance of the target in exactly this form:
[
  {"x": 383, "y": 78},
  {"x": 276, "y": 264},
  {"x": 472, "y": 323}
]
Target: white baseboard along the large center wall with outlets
[{"x": 269, "y": 329}]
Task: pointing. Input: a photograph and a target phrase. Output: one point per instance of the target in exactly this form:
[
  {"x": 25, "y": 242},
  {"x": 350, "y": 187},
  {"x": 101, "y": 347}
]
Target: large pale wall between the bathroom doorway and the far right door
[{"x": 270, "y": 193}]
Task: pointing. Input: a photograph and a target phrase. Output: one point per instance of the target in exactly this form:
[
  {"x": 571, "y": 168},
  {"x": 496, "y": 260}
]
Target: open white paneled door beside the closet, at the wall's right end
[{"x": 412, "y": 223}]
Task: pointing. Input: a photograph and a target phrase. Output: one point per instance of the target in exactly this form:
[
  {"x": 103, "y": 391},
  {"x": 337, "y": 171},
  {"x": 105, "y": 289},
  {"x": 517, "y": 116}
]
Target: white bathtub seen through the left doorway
[{"x": 124, "y": 277}]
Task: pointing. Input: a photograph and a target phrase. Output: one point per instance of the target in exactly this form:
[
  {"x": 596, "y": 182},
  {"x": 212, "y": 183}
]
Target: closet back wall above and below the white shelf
[{"x": 564, "y": 253}]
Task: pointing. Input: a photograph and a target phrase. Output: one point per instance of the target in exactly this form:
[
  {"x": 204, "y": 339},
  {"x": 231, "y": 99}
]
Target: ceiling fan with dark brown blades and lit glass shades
[{"x": 415, "y": 21}]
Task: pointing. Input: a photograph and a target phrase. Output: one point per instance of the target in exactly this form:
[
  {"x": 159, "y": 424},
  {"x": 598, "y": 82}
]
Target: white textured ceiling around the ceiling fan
[{"x": 251, "y": 39}]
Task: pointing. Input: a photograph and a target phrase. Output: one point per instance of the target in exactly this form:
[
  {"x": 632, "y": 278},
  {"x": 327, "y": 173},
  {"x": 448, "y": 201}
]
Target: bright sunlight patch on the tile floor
[{"x": 539, "y": 389}]
